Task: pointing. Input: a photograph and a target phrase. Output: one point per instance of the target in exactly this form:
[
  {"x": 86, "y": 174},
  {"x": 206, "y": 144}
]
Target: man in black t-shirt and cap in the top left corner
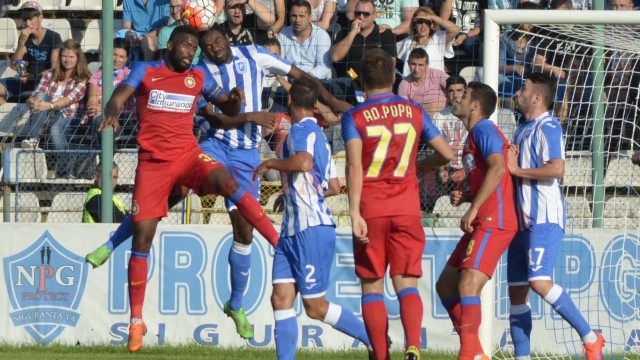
[{"x": 38, "y": 47}]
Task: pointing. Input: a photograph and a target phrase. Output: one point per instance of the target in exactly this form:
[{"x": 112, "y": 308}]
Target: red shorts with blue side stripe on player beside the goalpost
[{"x": 481, "y": 250}]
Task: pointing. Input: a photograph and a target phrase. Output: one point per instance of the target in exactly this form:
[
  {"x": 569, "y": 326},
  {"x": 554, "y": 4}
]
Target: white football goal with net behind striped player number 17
[{"x": 595, "y": 59}]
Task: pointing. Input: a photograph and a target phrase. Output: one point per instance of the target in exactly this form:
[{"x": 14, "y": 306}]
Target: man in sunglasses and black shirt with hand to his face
[{"x": 364, "y": 34}]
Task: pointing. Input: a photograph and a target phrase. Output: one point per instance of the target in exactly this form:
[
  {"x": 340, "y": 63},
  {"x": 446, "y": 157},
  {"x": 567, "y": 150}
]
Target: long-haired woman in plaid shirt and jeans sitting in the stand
[{"x": 58, "y": 101}]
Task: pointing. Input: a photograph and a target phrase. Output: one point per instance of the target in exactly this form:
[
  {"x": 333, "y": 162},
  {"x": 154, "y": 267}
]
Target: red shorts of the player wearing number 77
[{"x": 397, "y": 241}]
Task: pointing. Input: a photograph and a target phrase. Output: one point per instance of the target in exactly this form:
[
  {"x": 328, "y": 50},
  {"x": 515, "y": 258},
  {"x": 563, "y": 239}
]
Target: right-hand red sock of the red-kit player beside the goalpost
[{"x": 470, "y": 319}]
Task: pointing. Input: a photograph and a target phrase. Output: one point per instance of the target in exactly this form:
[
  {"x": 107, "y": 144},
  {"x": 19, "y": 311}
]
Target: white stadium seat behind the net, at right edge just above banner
[{"x": 622, "y": 212}]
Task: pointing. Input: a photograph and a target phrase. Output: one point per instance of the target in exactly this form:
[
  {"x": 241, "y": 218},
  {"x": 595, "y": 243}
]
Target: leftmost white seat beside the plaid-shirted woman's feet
[{"x": 26, "y": 165}]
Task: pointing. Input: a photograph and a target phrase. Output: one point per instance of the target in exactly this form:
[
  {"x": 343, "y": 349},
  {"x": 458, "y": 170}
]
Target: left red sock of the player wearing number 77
[{"x": 374, "y": 314}]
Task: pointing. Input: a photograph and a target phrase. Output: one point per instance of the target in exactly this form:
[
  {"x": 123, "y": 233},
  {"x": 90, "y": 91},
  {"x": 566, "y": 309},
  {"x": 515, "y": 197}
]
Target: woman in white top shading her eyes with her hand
[{"x": 432, "y": 33}]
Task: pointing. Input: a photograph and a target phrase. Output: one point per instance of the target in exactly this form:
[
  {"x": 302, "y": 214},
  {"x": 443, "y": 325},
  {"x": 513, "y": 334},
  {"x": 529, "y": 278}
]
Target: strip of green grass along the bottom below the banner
[{"x": 59, "y": 352}]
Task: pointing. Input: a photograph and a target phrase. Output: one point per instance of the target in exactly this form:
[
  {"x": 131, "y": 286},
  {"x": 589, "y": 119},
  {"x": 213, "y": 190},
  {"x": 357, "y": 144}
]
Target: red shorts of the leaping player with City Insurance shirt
[{"x": 155, "y": 179}]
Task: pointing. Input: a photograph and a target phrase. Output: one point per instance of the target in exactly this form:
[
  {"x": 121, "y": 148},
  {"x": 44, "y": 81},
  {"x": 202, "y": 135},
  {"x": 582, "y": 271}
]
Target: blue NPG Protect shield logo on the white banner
[{"x": 45, "y": 283}]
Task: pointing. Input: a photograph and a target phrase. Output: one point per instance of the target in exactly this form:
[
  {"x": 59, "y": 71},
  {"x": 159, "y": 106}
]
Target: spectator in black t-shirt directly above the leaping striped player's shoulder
[{"x": 246, "y": 29}]
